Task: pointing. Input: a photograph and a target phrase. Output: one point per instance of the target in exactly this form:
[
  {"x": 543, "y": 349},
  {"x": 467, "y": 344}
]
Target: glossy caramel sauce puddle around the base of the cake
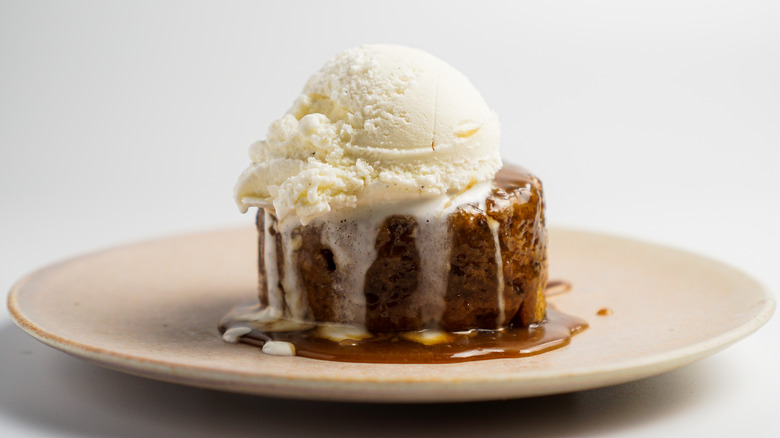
[{"x": 392, "y": 347}]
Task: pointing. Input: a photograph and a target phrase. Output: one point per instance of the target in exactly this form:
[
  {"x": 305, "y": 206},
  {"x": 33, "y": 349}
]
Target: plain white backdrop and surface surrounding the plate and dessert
[{"x": 656, "y": 120}]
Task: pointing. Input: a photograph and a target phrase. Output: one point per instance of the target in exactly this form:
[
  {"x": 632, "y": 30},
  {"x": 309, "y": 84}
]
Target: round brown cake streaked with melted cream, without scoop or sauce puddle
[{"x": 487, "y": 268}]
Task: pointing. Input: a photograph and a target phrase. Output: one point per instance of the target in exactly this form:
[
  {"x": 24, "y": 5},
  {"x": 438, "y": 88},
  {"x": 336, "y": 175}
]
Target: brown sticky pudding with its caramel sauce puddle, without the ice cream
[{"x": 435, "y": 282}]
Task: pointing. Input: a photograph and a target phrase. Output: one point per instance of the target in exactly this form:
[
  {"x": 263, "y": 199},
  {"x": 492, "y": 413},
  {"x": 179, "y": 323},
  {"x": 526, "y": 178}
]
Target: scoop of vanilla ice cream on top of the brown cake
[{"x": 377, "y": 124}]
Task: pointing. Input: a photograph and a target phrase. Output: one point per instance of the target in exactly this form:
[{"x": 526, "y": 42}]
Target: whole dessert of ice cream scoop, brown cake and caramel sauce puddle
[{"x": 389, "y": 229}]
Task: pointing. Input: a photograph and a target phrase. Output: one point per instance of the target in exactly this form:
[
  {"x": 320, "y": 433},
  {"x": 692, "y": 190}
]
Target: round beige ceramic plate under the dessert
[{"x": 152, "y": 309}]
